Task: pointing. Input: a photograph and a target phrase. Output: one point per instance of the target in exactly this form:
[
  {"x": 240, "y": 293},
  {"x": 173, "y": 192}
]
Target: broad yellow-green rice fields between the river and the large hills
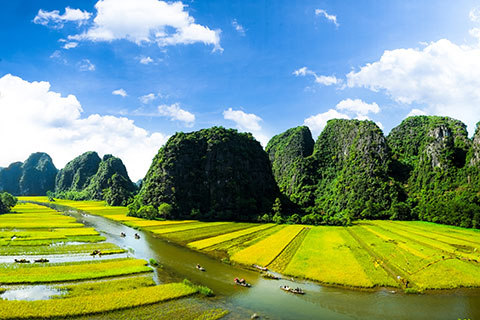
[{"x": 411, "y": 255}]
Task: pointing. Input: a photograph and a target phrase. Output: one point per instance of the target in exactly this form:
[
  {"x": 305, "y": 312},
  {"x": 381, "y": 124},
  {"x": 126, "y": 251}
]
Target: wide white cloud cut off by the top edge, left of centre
[{"x": 147, "y": 21}]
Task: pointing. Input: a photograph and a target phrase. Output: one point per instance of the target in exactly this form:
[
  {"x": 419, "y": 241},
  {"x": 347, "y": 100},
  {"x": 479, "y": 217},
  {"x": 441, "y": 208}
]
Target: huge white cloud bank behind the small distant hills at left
[{"x": 38, "y": 119}]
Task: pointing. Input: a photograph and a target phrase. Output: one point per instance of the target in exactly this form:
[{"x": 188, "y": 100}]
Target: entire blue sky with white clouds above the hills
[{"x": 120, "y": 76}]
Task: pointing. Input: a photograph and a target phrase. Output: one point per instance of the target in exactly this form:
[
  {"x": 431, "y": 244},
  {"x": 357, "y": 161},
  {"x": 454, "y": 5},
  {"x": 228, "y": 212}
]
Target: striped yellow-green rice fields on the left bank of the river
[{"x": 95, "y": 286}]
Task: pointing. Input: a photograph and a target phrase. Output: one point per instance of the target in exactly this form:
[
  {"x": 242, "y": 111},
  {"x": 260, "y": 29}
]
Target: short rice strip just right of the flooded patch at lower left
[{"x": 89, "y": 288}]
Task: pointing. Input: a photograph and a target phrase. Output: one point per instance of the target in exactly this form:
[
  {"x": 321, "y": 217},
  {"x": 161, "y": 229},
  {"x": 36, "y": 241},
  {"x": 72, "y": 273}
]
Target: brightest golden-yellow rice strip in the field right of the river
[{"x": 265, "y": 251}]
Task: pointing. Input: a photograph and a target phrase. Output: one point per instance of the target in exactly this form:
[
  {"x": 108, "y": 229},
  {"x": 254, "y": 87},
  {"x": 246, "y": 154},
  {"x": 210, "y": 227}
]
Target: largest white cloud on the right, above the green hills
[{"x": 443, "y": 78}]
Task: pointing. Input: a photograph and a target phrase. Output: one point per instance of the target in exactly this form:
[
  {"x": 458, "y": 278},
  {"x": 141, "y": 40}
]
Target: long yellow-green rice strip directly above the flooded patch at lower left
[{"x": 72, "y": 271}]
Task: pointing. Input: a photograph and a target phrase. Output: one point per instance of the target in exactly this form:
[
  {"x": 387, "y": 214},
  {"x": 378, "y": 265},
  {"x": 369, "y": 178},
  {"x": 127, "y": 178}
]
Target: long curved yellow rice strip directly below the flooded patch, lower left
[{"x": 91, "y": 304}]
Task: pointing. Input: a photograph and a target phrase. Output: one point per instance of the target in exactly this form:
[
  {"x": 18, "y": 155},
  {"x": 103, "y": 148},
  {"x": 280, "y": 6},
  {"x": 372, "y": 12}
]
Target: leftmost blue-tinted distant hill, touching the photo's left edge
[{"x": 34, "y": 177}]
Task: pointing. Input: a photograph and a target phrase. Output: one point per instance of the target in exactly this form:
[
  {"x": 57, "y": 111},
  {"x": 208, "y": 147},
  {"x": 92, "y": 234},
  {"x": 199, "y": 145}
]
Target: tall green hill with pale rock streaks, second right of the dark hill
[{"x": 352, "y": 160}]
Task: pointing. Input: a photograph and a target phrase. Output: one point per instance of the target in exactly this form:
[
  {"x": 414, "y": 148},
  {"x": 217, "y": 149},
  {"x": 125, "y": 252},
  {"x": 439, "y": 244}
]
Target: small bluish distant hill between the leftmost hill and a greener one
[{"x": 76, "y": 174}]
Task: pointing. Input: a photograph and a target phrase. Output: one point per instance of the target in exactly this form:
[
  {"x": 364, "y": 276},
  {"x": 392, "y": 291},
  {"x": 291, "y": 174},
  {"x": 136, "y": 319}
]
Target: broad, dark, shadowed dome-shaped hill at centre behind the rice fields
[{"x": 211, "y": 173}]
